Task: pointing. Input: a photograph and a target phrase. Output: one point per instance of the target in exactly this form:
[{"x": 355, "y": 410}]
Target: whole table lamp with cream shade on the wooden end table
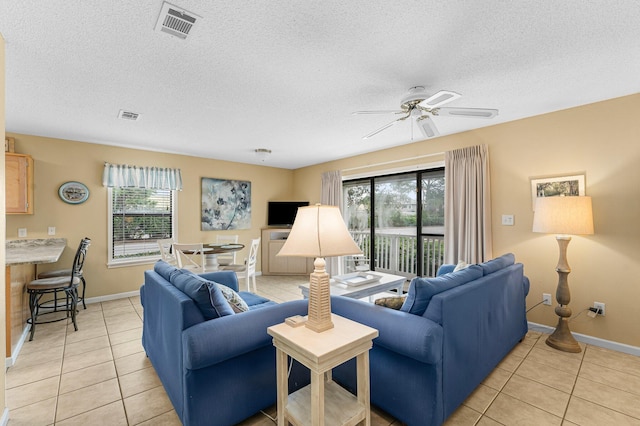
[{"x": 319, "y": 231}]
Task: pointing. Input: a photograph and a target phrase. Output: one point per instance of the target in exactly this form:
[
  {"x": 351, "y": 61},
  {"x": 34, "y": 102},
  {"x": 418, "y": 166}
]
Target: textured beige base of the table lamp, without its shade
[{"x": 319, "y": 318}]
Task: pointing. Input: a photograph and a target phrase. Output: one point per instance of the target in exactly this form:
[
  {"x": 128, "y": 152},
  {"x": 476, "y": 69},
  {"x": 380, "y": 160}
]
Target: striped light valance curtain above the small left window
[{"x": 125, "y": 176}]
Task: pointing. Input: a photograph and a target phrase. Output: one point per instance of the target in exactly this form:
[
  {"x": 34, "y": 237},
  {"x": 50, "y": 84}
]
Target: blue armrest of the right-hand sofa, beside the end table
[{"x": 404, "y": 333}]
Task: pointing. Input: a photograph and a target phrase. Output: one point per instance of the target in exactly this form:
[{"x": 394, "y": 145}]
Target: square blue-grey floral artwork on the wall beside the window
[{"x": 226, "y": 204}]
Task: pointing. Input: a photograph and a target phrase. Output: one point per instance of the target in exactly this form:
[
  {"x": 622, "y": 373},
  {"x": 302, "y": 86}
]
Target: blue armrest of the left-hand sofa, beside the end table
[{"x": 217, "y": 340}]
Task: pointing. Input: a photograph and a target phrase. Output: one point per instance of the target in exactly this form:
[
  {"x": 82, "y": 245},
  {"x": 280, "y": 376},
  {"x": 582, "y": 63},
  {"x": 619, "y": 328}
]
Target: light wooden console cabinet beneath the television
[{"x": 272, "y": 241}]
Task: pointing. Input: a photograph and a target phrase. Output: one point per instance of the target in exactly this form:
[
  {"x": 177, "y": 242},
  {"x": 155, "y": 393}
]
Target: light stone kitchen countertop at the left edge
[{"x": 46, "y": 250}]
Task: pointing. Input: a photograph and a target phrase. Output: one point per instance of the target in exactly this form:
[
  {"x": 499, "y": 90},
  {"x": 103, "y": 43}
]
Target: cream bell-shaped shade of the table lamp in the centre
[{"x": 319, "y": 231}]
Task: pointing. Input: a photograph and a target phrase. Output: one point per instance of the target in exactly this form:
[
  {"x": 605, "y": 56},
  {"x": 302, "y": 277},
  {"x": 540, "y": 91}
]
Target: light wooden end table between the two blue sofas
[{"x": 323, "y": 401}]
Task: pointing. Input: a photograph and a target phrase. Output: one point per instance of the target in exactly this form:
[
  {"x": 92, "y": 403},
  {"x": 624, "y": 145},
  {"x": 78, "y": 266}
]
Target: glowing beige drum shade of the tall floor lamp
[{"x": 563, "y": 215}]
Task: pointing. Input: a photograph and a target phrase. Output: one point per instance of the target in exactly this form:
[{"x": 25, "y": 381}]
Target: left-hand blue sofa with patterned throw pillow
[{"x": 218, "y": 371}]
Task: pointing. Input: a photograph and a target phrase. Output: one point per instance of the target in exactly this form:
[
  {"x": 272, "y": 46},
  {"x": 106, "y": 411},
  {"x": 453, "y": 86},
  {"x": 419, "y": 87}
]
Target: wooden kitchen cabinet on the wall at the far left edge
[{"x": 18, "y": 183}]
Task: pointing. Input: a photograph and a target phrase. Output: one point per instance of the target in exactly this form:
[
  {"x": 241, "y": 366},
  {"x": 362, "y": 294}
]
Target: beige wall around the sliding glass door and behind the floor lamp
[{"x": 601, "y": 140}]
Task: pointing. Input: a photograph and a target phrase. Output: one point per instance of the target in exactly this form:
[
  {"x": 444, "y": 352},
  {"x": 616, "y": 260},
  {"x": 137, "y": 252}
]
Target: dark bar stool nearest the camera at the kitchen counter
[{"x": 38, "y": 288}]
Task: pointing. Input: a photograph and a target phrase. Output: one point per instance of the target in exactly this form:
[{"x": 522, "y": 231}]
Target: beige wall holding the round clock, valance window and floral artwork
[{"x": 58, "y": 161}]
